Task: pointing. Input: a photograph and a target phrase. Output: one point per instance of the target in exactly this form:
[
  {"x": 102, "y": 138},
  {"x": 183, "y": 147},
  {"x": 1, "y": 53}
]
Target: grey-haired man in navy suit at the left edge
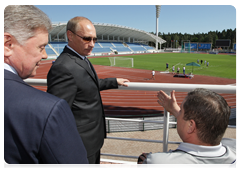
[{"x": 39, "y": 128}]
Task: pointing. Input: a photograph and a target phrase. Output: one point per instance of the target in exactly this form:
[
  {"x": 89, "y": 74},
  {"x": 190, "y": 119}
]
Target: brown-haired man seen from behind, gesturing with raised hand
[{"x": 202, "y": 120}]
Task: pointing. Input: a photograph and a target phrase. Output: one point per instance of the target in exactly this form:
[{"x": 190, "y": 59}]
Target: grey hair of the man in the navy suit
[{"x": 21, "y": 21}]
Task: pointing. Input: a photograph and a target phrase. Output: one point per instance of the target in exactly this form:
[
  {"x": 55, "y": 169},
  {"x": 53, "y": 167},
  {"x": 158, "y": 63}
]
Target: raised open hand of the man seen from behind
[{"x": 169, "y": 102}]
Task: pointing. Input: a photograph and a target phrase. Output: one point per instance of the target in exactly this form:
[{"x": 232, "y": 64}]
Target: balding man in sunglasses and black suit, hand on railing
[{"x": 73, "y": 78}]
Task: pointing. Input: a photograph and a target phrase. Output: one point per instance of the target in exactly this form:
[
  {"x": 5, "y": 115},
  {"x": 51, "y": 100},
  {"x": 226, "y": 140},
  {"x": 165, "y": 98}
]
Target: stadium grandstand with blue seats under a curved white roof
[{"x": 112, "y": 39}]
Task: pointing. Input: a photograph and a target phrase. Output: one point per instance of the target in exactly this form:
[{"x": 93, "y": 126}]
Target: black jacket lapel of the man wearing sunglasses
[{"x": 82, "y": 63}]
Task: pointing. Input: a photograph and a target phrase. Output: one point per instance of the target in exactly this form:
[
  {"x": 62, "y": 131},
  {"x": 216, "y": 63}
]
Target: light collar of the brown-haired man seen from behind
[{"x": 200, "y": 150}]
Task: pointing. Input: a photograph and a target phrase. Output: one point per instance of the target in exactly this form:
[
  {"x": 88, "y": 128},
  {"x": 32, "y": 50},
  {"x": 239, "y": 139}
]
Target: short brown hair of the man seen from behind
[{"x": 210, "y": 112}]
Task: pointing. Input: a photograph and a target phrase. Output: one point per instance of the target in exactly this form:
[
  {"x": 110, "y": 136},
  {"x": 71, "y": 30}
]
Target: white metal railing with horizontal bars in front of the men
[{"x": 167, "y": 87}]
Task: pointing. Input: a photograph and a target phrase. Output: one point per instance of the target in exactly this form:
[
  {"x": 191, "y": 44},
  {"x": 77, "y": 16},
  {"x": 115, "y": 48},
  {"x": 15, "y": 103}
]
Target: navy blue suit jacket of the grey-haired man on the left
[{"x": 39, "y": 128}]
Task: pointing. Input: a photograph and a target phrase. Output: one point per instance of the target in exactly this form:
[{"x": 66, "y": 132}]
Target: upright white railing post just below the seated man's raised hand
[{"x": 165, "y": 129}]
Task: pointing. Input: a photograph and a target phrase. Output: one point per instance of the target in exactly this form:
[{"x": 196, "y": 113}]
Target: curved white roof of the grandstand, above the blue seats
[{"x": 58, "y": 32}]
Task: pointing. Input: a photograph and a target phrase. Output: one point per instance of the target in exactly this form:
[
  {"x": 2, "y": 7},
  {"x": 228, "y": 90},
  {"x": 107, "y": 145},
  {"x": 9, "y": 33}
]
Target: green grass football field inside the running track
[{"x": 225, "y": 66}]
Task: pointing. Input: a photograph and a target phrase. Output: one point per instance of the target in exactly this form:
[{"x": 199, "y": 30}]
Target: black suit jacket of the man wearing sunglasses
[{"x": 70, "y": 78}]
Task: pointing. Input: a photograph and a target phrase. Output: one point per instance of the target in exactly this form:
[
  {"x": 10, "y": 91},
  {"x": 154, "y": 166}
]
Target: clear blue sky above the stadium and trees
[{"x": 173, "y": 18}]
